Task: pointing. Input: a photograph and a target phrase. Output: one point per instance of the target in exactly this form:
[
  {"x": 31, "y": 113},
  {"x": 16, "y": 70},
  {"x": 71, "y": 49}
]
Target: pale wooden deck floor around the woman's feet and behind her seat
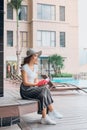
[{"x": 72, "y": 104}]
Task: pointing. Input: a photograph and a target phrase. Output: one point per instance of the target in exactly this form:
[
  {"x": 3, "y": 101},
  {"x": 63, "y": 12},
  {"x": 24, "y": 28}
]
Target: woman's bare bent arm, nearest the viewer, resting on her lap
[{"x": 25, "y": 79}]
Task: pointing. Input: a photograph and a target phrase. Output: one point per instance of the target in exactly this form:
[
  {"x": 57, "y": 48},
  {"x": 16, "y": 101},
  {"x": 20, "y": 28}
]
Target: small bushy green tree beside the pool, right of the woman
[{"x": 57, "y": 63}]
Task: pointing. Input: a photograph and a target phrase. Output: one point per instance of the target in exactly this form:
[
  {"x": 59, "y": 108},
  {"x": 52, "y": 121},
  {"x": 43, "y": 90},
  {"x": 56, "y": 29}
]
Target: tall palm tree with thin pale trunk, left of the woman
[{"x": 16, "y": 4}]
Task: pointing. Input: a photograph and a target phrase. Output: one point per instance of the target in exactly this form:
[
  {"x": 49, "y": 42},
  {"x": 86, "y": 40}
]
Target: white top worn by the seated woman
[{"x": 31, "y": 74}]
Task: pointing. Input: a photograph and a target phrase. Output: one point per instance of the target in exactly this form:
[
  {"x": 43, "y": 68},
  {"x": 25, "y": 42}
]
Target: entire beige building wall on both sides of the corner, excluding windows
[{"x": 70, "y": 26}]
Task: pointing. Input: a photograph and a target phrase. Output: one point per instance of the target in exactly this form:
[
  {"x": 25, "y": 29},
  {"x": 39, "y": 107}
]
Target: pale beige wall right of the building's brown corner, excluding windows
[{"x": 70, "y": 26}]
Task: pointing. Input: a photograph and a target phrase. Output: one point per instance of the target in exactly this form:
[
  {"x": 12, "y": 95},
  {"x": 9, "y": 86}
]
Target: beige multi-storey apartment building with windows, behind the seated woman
[{"x": 47, "y": 25}]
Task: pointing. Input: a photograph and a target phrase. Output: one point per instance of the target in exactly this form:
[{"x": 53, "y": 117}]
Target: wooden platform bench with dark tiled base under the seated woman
[{"x": 13, "y": 107}]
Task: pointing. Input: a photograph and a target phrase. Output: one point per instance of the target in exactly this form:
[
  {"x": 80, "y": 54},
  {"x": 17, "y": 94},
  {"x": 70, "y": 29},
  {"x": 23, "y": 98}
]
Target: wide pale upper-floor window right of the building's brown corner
[{"x": 46, "y": 12}]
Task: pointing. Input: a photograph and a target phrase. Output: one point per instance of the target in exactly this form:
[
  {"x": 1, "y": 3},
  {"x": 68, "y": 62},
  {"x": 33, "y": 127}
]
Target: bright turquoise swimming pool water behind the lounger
[{"x": 80, "y": 83}]
